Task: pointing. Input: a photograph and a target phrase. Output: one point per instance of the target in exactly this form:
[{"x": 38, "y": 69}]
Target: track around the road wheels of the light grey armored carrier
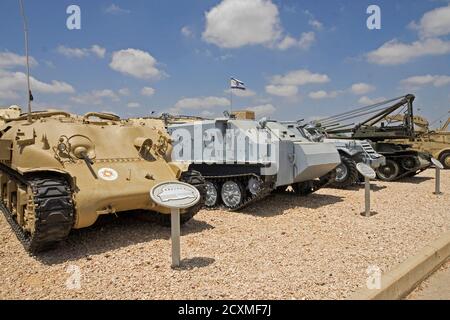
[{"x": 265, "y": 190}]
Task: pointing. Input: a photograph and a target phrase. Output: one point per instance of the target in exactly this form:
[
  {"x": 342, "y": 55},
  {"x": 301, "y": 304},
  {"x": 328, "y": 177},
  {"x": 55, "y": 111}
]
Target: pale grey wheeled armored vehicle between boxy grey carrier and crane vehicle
[{"x": 351, "y": 152}]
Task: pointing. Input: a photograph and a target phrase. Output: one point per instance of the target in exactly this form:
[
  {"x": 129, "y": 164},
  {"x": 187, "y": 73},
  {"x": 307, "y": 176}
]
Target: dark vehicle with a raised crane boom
[{"x": 401, "y": 159}]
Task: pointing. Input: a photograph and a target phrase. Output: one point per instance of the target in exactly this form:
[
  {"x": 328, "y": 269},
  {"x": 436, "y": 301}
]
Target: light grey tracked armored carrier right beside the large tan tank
[{"x": 243, "y": 160}]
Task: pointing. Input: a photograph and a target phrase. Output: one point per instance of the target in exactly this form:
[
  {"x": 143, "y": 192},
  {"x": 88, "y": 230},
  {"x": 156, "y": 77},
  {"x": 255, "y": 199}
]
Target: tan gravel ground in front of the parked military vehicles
[{"x": 284, "y": 247}]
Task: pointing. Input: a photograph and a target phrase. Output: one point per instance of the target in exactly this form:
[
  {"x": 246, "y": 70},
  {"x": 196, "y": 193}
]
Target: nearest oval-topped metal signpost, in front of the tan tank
[{"x": 175, "y": 196}]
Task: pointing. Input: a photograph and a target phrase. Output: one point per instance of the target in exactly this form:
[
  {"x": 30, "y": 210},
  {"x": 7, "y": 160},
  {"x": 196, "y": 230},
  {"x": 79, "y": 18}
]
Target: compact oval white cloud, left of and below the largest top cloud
[{"x": 135, "y": 63}]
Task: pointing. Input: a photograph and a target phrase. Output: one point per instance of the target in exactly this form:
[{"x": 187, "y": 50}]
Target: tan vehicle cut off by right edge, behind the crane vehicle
[{"x": 435, "y": 142}]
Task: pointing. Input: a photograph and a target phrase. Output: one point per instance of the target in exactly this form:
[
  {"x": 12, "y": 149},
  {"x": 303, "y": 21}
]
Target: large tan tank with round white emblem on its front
[{"x": 61, "y": 171}]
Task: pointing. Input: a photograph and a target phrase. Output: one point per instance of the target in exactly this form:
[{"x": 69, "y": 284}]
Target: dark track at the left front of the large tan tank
[{"x": 54, "y": 213}]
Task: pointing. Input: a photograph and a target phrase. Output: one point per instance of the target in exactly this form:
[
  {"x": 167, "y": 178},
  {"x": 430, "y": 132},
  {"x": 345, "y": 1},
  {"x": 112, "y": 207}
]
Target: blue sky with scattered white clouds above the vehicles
[{"x": 299, "y": 59}]
